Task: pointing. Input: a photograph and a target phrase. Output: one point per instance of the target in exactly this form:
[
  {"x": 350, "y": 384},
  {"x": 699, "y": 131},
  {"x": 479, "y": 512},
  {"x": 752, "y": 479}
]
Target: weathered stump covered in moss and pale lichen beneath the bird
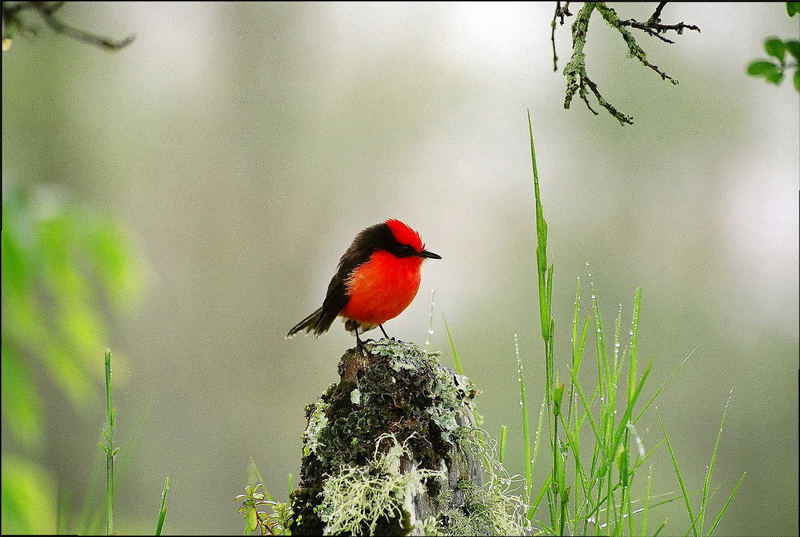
[{"x": 391, "y": 449}]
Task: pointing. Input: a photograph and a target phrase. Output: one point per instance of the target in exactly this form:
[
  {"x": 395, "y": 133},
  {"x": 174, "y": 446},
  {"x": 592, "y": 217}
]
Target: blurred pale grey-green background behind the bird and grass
[{"x": 230, "y": 154}]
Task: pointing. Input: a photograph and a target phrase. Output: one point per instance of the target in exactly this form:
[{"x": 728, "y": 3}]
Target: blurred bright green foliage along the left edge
[{"x": 65, "y": 270}]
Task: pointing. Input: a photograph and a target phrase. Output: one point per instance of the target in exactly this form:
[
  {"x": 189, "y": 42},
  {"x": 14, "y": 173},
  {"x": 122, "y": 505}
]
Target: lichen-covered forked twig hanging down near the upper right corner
[{"x": 578, "y": 80}]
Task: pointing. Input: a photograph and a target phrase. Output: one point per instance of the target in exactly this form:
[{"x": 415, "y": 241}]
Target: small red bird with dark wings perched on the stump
[{"x": 377, "y": 279}]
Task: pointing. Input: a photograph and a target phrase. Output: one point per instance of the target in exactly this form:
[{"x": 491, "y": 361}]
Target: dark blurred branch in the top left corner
[{"x": 13, "y": 23}]
